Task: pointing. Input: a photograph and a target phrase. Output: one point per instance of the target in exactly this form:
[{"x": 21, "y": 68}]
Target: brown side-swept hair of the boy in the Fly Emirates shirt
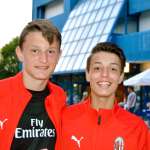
[{"x": 49, "y": 31}]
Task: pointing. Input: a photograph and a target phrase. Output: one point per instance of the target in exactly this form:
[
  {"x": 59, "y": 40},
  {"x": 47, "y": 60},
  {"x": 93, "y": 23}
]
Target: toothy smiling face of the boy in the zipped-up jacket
[{"x": 104, "y": 74}]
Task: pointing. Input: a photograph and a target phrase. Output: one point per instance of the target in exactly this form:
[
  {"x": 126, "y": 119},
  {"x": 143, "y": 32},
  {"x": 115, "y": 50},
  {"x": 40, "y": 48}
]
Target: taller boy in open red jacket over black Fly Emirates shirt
[{"x": 30, "y": 104}]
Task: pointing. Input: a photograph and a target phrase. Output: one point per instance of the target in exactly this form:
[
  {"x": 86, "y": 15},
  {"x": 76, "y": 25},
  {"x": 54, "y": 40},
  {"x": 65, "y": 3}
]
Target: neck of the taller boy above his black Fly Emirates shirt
[{"x": 34, "y": 84}]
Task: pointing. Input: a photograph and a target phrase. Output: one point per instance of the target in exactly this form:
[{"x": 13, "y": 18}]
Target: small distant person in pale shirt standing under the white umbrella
[{"x": 131, "y": 99}]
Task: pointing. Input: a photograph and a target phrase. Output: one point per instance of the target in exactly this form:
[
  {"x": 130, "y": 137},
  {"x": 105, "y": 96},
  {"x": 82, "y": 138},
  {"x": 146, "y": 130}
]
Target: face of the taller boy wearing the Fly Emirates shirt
[{"x": 38, "y": 57}]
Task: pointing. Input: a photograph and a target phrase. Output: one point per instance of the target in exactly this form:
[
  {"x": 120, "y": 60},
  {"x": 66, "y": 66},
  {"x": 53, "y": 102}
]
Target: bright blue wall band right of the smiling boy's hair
[{"x": 136, "y": 45}]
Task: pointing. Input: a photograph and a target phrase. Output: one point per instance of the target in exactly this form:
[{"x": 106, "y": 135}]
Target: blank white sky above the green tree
[{"x": 14, "y": 15}]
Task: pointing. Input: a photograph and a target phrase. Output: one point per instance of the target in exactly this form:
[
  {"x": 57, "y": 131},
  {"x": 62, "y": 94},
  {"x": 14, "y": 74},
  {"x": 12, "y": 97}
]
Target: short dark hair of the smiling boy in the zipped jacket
[{"x": 110, "y": 48}]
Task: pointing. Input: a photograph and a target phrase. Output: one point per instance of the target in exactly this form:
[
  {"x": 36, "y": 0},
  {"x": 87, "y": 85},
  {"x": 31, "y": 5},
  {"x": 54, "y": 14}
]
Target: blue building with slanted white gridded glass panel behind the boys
[{"x": 83, "y": 23}]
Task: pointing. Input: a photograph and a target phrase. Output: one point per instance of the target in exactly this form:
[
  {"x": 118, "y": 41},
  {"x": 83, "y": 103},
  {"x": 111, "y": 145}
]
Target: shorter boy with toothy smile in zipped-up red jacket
[{"x": 99, "y": 123}]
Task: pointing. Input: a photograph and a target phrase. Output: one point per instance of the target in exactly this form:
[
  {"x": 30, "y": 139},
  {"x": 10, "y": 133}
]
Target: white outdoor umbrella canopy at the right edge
[{"x": 141, "y": 79}]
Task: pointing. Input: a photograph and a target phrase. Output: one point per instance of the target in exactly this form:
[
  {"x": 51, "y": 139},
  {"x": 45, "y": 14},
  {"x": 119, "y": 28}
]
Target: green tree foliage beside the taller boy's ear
[{"x": 9, "y": 64}]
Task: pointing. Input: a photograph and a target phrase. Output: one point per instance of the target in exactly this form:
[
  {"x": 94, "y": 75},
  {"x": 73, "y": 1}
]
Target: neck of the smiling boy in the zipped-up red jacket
[{"x": 102, "y": 102}]
